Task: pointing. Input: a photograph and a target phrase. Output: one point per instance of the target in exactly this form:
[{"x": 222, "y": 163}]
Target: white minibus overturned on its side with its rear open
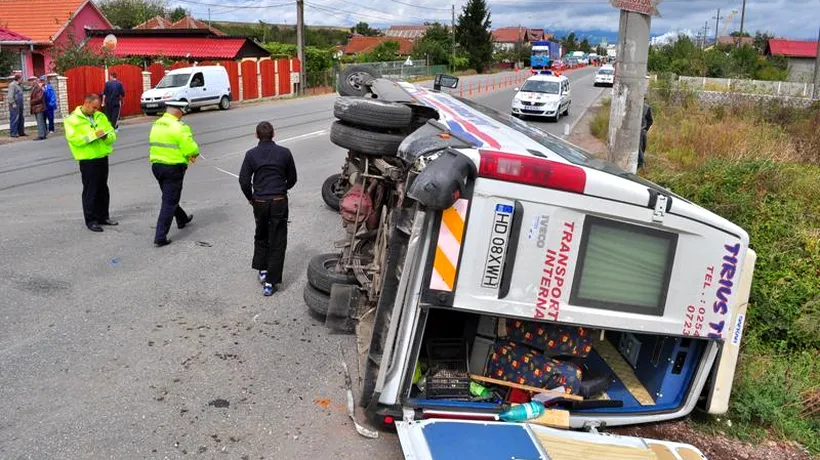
[{"x": 480, "y": 230}]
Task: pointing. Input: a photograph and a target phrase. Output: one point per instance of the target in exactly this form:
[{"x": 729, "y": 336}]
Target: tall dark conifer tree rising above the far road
[{"x": 473, "y": 34}]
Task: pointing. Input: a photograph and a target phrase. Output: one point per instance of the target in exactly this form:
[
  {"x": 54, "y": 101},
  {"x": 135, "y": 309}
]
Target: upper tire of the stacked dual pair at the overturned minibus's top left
[{"x": 372, "y": 113}]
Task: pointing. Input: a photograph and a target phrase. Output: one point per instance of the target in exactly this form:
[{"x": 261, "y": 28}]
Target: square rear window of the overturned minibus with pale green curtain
[{"x": 623, "y": 267}]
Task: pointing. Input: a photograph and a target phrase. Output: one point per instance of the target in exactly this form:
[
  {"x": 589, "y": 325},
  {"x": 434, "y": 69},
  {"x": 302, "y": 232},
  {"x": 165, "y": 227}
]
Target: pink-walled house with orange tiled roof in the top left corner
[{"x": 49, "y": 24}]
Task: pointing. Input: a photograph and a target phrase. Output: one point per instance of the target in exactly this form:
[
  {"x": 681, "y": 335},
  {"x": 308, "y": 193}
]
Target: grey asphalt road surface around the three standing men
[{"x": 112, "y": 348}]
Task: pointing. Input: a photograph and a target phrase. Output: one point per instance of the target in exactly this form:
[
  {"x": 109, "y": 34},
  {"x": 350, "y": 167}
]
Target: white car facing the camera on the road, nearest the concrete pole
[{"x": 543, "y": 95}]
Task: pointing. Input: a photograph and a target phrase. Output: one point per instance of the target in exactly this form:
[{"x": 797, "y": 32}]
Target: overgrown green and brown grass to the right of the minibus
[{"x": 759, "y": 167}]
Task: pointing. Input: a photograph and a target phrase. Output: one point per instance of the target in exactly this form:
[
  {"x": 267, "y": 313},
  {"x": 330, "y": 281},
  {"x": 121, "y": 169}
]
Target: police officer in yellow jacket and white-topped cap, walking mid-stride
[{"x": 172, "y": 147}]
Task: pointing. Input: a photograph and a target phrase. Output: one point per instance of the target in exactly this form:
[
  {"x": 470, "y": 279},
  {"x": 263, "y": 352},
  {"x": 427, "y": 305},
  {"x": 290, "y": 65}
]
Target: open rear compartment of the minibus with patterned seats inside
[{"x": 639, "y": 373}]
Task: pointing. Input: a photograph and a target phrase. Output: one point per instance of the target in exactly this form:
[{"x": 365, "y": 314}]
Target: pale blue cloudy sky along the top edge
[{"x": 796, "y": 19}]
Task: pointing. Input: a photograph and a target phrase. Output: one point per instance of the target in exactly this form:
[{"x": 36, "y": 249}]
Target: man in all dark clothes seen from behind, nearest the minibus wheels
[{"x": 267, "y": 173}]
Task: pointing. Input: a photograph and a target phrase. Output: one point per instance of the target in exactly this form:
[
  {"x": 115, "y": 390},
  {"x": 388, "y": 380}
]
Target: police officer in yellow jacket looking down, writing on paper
[{"x": 90, "y": 138}]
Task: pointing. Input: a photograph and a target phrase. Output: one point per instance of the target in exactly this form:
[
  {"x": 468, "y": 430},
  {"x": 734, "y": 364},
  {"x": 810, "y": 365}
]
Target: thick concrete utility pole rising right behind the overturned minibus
[{"x": 629, "y": 91}]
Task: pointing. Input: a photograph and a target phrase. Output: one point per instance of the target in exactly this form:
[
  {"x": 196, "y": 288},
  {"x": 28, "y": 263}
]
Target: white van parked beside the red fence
[{"x": 198, "y": 86}]
